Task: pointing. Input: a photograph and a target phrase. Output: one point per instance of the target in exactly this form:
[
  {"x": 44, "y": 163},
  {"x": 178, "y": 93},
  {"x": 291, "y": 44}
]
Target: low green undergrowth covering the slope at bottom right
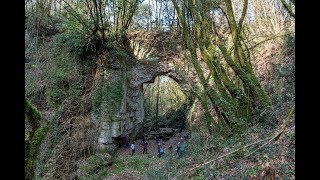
[{"x": 201, "y": 148}]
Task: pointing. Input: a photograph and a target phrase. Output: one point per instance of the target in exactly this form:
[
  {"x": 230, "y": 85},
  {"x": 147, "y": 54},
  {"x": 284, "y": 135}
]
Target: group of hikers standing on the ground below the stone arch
[{"x": 144, "y": 143}]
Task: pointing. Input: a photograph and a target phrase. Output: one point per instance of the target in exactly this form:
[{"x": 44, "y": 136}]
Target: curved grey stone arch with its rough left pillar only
[{"x": 134, "y": 111}]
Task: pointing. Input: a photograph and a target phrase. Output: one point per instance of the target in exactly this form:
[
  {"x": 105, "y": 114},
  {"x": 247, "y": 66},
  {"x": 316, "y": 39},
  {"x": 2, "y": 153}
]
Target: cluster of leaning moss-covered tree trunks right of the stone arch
[{"x": 232, "y": 103}]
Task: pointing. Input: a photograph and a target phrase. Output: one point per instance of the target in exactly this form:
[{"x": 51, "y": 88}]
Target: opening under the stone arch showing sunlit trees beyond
[{"x": 165, "y": 104}]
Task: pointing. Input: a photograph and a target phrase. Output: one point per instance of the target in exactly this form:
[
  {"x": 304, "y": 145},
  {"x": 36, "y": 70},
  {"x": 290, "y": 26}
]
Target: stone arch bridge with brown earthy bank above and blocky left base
[{"x": 157, "y": 54}]
